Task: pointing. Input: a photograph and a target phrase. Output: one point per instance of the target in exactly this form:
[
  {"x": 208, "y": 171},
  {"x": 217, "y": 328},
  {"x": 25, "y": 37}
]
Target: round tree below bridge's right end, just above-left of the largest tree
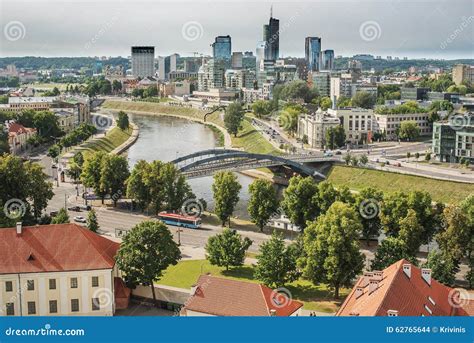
[{"x": 300, "y": 200}]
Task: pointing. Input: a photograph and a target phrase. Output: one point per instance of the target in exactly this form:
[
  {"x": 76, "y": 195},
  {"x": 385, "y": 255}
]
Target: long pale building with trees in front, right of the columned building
[{"x": 390, "y": 123}]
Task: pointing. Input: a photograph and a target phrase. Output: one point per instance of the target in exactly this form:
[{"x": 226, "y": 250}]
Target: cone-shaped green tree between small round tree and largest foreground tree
[{"x": 276, "y": 263}]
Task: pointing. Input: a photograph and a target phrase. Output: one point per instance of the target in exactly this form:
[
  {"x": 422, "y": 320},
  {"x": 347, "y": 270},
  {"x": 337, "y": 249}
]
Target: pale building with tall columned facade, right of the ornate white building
[{"x": 358, "y": 124}]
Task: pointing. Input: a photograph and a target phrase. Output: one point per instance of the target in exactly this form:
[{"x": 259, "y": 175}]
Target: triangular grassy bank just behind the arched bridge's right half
[{"x": 252, "y": 141}]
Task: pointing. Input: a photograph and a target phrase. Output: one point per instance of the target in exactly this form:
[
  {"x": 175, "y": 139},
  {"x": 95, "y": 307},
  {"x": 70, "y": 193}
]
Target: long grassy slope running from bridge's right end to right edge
[{"x": 359, "y": 178}]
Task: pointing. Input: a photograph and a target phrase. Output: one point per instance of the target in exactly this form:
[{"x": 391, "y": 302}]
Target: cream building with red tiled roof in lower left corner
[{"x": 59, "y": 270}]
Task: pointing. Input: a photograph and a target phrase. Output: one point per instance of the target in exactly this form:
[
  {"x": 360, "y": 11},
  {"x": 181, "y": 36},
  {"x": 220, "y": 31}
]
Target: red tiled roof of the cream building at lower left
[{"x": 54, "y": 248}]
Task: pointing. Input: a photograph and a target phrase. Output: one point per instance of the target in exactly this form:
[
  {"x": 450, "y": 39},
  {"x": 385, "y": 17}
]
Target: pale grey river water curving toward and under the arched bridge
[{"x": 166, "y": 138}]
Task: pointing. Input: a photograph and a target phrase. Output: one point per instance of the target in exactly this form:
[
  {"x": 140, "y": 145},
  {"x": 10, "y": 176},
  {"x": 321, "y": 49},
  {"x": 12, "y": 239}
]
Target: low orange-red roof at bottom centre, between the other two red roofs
[{"x": 225, "y": 297}]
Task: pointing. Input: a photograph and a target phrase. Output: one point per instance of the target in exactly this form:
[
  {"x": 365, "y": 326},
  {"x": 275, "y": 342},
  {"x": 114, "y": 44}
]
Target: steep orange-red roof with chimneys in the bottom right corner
[{"x": 410, "y": 296}]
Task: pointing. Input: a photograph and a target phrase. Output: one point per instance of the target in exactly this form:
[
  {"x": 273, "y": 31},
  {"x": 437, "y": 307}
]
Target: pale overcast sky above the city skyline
[{"x": 414, "y": 28}]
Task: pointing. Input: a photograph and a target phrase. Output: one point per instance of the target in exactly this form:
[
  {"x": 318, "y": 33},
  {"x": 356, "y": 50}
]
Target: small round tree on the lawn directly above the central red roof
[{"x": 227, "y": 249}]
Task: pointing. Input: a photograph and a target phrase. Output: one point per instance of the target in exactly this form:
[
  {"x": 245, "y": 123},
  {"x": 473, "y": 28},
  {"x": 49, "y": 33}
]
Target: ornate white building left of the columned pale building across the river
[{"x": 314, "y": 126}]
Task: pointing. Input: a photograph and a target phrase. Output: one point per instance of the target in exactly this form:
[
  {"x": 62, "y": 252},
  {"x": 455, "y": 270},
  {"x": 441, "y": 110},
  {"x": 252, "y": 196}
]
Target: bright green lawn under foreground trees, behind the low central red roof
[{"x": 186, "y": 273}]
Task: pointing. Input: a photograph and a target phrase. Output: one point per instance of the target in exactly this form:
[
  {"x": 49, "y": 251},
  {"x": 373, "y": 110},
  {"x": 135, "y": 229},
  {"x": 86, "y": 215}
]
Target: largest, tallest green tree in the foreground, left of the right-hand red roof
[{"x": 331, "y": 246}]
